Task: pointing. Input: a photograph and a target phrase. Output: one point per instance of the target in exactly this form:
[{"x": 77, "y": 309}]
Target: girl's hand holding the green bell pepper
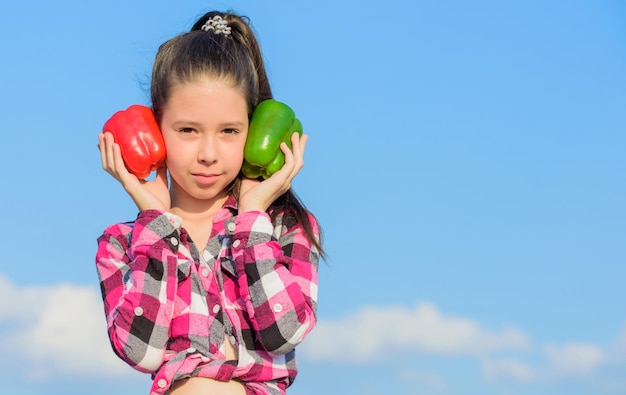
[{"x": 257, "y": 195}]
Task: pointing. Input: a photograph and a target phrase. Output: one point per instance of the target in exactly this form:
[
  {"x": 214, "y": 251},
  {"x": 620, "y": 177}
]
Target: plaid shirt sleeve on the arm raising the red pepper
[{"x": 137, "y": 267}]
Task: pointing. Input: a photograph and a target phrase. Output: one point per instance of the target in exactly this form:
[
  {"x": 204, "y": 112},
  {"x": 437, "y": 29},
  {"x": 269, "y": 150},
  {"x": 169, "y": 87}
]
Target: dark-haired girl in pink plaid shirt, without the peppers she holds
[{"x": 214, "y": 284}]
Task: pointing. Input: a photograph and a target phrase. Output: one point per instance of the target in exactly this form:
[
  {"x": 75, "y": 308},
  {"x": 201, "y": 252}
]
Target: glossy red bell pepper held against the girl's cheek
[{"x": 139, "y": 137}]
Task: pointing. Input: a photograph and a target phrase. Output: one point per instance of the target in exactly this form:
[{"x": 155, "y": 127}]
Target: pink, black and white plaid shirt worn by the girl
[{"x": 169, "y": 306}]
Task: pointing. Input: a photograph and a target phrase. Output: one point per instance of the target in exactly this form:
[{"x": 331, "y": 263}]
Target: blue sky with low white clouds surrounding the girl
[{"x": 466, "y": 160}]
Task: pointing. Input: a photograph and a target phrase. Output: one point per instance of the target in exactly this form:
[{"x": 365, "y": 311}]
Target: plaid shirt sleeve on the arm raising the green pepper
[{"x": 277, "y": 273}]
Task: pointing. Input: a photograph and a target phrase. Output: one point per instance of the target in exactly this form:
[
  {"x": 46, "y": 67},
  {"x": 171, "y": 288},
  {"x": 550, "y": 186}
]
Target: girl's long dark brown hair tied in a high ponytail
[{"x": 234, "y": 58}]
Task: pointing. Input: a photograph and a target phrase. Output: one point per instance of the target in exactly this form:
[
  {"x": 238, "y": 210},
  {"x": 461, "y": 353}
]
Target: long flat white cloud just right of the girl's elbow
[{"x": 375, "y": 332}]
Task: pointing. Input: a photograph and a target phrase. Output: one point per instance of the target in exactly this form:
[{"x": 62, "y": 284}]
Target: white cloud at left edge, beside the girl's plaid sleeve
[{"x": 55, "y": 330}]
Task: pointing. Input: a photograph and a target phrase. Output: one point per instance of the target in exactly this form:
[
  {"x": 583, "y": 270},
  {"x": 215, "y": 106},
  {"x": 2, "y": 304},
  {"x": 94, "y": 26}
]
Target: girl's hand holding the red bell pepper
[{"x": 146, "y": 194}]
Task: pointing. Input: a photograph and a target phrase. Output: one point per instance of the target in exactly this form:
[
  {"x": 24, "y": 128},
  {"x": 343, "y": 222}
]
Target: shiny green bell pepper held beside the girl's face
[{"x": 272, "y": 123}]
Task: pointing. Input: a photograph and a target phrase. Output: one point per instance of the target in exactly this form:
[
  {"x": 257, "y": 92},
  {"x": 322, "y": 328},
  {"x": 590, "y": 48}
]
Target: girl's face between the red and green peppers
[{"x": 204, "y": 125}]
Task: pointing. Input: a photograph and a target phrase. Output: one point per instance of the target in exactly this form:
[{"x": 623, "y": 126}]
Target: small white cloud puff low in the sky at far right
[{"x": 574, "y": 358}]
